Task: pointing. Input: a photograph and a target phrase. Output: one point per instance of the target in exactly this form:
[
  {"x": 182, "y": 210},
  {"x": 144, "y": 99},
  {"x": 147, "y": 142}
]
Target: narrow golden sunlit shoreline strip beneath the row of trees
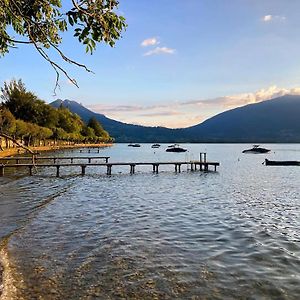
[{"x": 17, "y": 150}]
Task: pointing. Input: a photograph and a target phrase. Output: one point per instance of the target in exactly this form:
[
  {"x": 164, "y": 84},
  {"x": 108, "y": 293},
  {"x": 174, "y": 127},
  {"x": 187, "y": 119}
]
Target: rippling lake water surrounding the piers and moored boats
[{"x": 233, "y": 234}]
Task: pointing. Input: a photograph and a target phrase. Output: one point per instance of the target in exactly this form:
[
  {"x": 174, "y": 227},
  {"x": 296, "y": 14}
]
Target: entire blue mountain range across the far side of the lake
[{"x": 273, "y": 121}]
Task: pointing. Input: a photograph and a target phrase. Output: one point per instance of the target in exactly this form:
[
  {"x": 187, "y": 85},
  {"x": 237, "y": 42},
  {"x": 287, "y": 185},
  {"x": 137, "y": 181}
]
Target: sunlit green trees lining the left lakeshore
[{"x": 26, "y": 119}]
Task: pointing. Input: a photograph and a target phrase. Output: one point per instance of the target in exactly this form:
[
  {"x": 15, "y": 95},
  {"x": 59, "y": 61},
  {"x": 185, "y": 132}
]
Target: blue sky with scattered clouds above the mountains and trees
[{"x": 178, "y": 62}]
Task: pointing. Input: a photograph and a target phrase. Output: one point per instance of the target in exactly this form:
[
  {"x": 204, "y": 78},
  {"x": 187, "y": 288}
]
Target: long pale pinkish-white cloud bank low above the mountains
[{"x": 182, "y": 113}]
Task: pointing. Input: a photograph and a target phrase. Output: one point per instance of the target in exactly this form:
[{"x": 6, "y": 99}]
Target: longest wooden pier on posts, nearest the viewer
[{"x": 194, "y": 165}]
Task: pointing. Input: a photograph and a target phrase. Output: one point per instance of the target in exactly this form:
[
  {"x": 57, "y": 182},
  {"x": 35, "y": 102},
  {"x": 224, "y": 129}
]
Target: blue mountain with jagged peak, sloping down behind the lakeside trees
[{"x": 123, "y": 132}]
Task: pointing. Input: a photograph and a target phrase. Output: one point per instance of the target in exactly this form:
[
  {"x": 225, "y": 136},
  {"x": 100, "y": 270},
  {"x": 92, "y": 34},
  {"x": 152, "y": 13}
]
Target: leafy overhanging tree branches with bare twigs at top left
[{"x": 41, "y": 22}]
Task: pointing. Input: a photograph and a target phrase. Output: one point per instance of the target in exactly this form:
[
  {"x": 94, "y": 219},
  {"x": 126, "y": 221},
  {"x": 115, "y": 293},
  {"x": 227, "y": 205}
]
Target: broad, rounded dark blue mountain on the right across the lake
[{"x": 276, "y": 120}]
